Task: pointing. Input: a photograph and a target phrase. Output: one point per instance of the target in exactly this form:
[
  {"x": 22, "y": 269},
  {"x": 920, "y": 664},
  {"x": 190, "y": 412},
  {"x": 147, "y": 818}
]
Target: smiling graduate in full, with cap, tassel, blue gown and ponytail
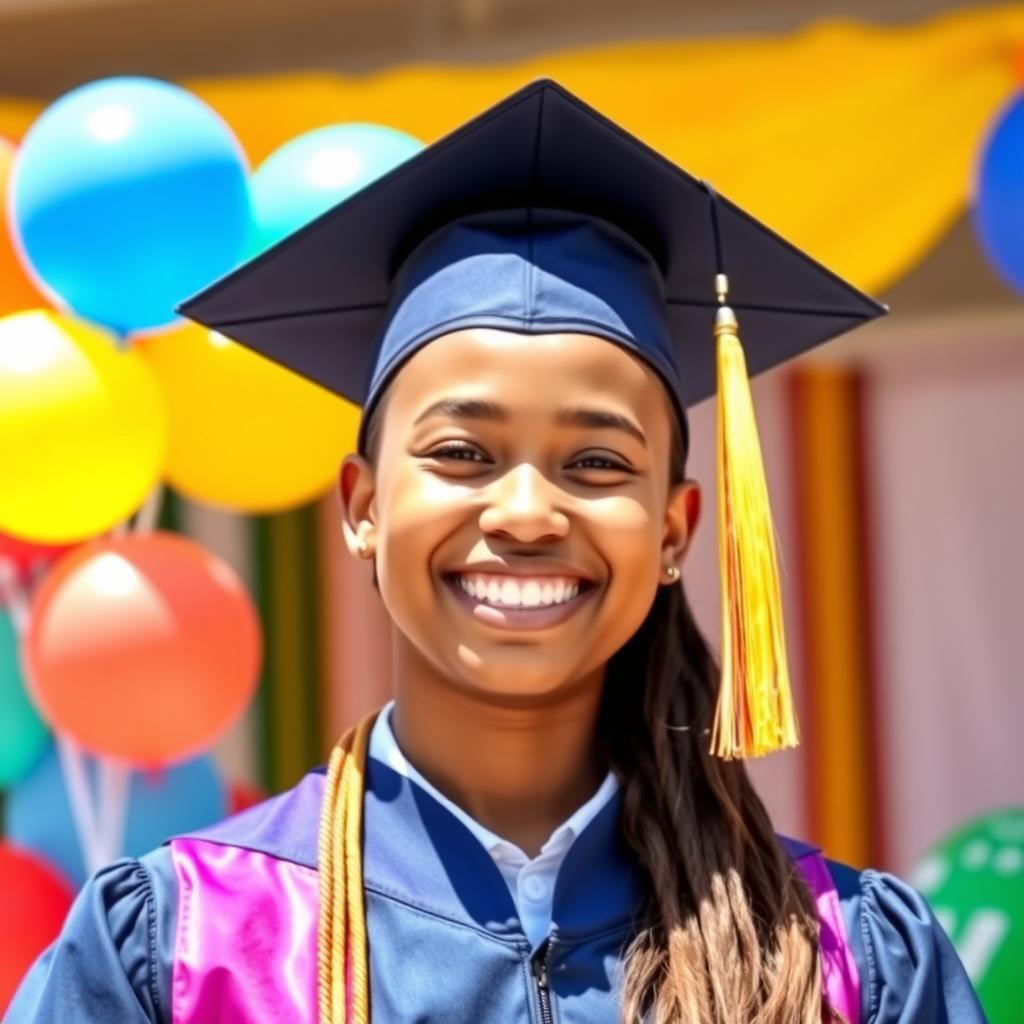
[{"x": 552, "y": 820}]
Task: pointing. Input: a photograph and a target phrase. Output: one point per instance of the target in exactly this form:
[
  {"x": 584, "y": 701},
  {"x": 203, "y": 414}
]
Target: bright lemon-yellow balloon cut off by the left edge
[{"x": 82, "y": 430}]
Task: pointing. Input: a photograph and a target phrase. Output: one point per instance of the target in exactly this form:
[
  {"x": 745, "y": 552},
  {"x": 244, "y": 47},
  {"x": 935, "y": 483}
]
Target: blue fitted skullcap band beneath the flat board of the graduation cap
[{"x": 534, "y": 272}]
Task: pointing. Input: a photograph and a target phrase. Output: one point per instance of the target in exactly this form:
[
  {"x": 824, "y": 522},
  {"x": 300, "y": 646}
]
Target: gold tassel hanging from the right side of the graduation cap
[{"x": 755, "y": 713}]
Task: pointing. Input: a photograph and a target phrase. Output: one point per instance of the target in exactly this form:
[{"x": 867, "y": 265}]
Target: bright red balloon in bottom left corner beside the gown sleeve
[{"x": 35, "y": 903}]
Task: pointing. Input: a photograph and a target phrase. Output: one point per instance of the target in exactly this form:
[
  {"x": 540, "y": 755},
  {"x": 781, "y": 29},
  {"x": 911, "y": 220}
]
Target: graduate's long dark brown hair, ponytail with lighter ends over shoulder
[{"x": 730, "y": 934}]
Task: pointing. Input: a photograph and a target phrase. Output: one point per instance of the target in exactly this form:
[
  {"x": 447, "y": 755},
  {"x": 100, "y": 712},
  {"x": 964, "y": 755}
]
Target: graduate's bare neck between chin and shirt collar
[{"x": 520, "y": 771}]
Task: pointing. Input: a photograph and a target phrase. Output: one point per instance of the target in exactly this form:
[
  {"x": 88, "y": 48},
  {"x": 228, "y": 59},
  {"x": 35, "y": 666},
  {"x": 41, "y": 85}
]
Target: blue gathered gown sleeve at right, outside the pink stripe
[{"x": 908, "y": 967}]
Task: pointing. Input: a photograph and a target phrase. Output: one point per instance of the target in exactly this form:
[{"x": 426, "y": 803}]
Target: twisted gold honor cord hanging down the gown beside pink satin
[{"x": 343, "y": 970}]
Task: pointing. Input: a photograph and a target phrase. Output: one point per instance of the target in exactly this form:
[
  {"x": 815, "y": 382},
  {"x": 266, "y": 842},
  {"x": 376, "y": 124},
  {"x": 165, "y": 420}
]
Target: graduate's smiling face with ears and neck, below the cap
[{"x": 521, "y": 531}]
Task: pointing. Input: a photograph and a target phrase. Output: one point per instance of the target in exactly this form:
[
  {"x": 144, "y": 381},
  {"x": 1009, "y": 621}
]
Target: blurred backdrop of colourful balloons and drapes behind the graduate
[{"x": 885, "y": 139}]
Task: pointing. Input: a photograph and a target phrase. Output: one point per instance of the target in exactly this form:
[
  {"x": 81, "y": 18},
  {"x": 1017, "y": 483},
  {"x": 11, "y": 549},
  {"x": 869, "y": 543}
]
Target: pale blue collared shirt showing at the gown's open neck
[{"x": 532, "y": 882}]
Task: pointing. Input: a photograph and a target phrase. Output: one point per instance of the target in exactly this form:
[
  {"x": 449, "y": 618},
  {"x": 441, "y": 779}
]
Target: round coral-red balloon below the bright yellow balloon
[{"x": 145, "y": 648}]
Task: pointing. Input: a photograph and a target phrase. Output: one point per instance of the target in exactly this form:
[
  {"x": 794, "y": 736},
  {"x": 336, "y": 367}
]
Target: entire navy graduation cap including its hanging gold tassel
[{"x": 543, "y": 216}]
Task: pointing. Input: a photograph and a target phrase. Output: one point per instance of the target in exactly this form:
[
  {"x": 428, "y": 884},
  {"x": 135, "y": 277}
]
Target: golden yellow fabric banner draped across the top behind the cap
[{"x": 858, "y": 143}]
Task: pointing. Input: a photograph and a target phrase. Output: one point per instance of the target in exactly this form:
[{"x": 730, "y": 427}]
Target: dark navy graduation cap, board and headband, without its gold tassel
[{"x": 321, "y": 301}]
